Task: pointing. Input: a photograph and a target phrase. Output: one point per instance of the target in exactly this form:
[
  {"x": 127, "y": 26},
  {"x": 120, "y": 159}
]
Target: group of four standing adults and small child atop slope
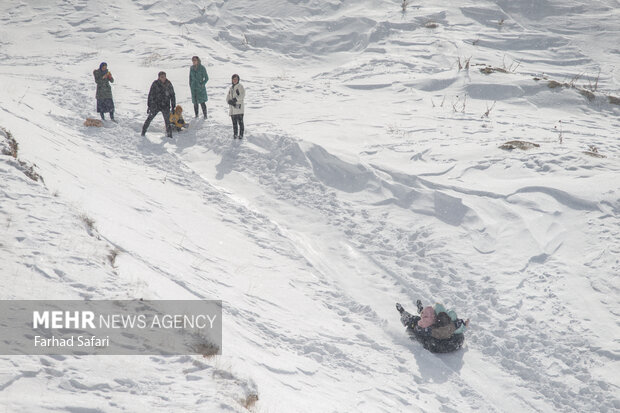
[{"x": 162, "y": 98}]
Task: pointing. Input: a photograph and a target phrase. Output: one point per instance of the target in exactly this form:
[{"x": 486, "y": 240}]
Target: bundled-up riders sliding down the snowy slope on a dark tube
[{"x": 438, "y": 331}]
